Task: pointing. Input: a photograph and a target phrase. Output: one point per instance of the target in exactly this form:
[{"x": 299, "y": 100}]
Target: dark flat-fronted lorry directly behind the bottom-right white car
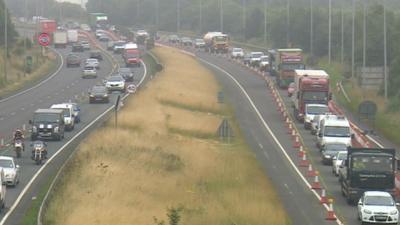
[{"x": 367, "y": 169}]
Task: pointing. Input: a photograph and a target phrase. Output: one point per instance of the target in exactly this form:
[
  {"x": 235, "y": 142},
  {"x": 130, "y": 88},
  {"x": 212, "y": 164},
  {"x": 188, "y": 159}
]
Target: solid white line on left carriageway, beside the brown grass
[{"x": 36, "y": 175}]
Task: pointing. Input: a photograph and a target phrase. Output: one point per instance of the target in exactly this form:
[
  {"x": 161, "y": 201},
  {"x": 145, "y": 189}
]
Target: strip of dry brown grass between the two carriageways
[{"x": 133, "y": 174}]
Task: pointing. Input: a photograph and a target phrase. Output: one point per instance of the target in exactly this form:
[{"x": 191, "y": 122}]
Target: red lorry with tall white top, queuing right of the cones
[{"x": 311, "y": 87}]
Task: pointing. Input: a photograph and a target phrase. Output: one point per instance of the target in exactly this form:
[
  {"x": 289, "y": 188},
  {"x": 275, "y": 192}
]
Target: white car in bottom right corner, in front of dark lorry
[{"x": 377, "y": 207}]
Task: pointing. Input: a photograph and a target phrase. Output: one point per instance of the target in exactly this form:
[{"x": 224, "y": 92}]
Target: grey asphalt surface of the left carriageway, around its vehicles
[{"x": 66, "y": 85}]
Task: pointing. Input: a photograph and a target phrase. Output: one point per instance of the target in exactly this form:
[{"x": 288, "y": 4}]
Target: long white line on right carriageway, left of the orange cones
[{"x": 265, "y": 124}]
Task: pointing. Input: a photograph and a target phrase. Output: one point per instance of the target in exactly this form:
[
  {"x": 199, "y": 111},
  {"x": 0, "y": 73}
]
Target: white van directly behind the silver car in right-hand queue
[{"x": 334, "y": 129}]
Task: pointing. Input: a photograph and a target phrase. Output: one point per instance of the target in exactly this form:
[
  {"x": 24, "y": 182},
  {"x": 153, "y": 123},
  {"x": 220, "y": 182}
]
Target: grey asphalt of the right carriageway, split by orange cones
[{"x": 296, "y": 196}]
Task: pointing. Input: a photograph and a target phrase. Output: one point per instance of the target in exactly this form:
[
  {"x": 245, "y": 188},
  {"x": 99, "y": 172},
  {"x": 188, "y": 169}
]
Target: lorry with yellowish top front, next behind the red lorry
[{"x": 288, "y": 60}]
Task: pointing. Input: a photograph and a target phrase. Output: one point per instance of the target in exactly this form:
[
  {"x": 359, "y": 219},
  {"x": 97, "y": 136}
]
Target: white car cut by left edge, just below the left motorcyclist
[{"x": 10, "y": 169}]
